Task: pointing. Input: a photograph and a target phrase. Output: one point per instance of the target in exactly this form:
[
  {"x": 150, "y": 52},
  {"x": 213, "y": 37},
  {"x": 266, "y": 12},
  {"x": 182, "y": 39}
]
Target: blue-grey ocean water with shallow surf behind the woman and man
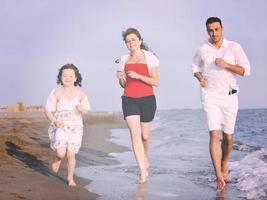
[{"x": 180, "y": 164}]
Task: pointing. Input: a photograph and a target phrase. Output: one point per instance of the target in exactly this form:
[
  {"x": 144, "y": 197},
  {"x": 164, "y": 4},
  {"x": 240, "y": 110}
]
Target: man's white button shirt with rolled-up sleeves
[{"x": 220, "y": 80}]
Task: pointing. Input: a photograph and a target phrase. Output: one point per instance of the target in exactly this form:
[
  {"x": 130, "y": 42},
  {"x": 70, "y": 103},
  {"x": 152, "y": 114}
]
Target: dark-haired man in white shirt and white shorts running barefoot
[{"x": 215, "y": 65}]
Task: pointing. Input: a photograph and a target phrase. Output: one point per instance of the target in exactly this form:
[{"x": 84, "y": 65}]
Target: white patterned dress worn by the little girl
[{"x": 70, "y": 135}]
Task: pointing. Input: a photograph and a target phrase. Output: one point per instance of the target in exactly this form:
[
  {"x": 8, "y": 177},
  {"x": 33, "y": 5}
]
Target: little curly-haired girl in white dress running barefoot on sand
[{"x": 64, "y": 109}]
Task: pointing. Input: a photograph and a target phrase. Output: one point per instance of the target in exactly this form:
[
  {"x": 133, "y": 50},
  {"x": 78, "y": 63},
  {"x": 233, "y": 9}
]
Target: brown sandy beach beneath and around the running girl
[{"x": 25, "y": 156}]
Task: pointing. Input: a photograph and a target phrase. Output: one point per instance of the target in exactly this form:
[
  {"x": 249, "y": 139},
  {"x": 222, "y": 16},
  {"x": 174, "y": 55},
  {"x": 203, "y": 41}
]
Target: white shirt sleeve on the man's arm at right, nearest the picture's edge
[{"x": 241, "y": 59}]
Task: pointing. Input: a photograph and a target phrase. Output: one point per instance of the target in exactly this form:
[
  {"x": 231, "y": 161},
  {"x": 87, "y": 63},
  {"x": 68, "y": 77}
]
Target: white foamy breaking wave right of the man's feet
[{"x": 250, "y": 174}]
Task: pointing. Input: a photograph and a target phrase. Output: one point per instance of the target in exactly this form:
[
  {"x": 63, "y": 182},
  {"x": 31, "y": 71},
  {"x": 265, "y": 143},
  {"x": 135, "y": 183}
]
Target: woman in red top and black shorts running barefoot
[{"x": 138, "y": 74}]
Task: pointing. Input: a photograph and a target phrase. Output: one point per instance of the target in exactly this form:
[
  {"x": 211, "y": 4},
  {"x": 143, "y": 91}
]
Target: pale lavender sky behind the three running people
[{"x": 37, "y": 37}]
